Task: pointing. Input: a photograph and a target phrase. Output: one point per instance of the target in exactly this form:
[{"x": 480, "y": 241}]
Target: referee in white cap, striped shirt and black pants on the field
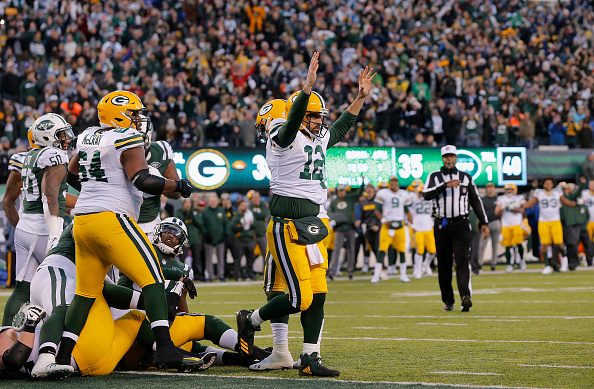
[{"x": 452, "y": 192}]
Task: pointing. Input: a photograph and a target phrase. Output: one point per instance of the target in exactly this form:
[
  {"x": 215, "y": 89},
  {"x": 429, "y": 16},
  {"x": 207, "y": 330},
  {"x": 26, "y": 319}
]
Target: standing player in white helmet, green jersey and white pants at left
[{"x": 39, "y": 226}]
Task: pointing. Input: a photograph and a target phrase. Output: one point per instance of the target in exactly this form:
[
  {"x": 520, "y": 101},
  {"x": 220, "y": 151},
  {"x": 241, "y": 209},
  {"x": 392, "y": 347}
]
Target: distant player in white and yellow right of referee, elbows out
[{"x": 550, "y": 229}]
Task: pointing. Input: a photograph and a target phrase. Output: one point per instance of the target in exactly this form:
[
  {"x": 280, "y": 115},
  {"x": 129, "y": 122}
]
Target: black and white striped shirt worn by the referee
[{"x": 453, "y": 202}]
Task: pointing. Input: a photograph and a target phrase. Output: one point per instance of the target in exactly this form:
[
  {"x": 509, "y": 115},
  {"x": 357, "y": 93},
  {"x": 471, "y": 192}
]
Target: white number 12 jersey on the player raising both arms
[{"x": 298, "y": 170}]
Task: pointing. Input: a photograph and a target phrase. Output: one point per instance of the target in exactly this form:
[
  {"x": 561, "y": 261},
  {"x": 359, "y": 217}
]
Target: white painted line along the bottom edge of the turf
[{"x": 318, "y": 379}]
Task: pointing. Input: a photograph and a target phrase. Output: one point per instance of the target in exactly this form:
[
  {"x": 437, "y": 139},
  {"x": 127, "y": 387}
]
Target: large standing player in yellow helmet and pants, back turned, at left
[{"x": 111, "y": 172}]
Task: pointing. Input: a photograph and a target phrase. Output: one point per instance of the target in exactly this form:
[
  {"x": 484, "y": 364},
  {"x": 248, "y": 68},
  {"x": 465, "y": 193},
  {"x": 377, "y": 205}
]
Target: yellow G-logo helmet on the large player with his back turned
[{"x": 124, "y": 109}]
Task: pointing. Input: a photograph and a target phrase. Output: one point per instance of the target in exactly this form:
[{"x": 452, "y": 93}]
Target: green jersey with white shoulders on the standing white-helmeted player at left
[{"x": 32, "y": 219}]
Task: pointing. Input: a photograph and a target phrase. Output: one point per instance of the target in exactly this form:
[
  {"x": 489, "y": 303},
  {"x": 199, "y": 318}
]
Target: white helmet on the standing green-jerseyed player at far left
[{"x": 51, "y": 130}]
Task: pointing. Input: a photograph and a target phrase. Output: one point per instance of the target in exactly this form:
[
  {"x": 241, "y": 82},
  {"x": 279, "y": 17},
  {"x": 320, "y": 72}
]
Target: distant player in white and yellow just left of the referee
[{"x": 422, "y": 226}]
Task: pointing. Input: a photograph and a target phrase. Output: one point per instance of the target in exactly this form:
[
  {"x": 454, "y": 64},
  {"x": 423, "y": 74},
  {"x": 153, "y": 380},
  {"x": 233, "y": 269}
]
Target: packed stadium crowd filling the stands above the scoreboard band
[{"x": 463, "y": 72}]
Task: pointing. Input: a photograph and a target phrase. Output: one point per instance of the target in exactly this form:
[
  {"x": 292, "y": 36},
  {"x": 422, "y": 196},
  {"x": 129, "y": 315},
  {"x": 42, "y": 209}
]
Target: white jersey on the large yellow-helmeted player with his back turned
[{"x": 105, "y": 187}]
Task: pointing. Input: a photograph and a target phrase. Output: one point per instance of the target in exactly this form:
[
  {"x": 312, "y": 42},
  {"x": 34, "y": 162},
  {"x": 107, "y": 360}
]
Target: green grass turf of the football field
[{"x": 393, "y": 332}]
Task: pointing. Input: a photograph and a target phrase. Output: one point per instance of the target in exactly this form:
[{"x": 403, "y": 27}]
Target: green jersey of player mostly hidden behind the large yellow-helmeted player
[{"x": 158, "y": 156}]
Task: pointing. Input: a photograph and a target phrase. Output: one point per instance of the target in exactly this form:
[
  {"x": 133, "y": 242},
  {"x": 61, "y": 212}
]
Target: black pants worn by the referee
[{"x": 453, "y": 242}]
